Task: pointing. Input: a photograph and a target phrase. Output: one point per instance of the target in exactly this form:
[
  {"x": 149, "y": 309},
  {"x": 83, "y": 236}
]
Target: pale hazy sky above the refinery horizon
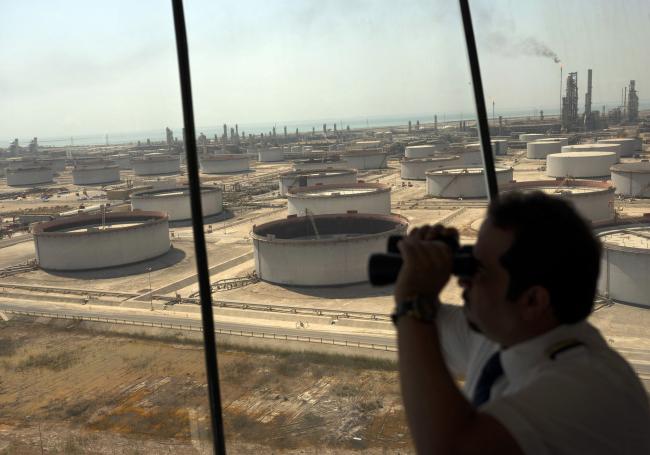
[{"x": 74, "y": 67}]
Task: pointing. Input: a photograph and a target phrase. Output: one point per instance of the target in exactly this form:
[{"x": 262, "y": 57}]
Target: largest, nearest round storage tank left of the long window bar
[{"x": 84, "y": 242}]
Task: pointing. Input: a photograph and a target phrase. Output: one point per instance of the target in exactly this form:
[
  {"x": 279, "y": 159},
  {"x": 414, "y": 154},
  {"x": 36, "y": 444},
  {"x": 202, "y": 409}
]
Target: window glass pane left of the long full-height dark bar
[{"x": 95, "y": 356}]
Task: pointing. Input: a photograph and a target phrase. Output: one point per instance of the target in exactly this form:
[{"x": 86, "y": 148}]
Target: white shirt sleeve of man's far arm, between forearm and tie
[{"x": 456, "y": 338}]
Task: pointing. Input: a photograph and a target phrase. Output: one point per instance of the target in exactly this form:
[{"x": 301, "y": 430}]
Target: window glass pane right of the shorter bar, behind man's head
[{"x": 564, "y": 85}]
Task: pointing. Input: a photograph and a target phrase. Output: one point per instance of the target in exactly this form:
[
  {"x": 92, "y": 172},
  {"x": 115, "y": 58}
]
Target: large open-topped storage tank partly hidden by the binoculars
[{"x": 322, "y": 250}]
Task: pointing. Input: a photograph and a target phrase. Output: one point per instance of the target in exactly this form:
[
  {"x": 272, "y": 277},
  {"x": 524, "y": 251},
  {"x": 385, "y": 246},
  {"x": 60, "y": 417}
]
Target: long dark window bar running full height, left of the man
[{"x": 205, "y": 292}]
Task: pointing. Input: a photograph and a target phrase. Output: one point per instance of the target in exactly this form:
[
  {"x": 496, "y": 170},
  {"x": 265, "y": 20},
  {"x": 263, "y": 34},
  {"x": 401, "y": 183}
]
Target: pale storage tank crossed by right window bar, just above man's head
[{"x": 466, "y": 182}]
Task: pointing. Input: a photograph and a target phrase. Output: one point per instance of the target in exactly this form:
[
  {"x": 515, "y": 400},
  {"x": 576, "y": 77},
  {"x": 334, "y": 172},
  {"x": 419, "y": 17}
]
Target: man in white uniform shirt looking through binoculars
[{"x": 538, "y": 378}]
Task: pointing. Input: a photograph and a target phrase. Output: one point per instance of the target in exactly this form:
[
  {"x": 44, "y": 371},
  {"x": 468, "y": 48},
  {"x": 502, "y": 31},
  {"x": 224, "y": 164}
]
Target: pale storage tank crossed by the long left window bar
[{"x": 175, "y": 202}]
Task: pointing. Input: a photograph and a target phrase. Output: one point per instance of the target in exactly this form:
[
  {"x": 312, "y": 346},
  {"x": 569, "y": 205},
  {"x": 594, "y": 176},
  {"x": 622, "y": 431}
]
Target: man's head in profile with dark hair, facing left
[{"x": 539, "y": 264}]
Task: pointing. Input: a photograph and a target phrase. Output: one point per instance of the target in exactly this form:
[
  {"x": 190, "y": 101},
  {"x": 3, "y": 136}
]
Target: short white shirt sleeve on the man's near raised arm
[{"x": 567, "y": 411}]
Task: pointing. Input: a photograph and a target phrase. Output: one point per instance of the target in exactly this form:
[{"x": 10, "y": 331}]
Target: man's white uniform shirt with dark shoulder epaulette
[{"x": 587, "y": 400}]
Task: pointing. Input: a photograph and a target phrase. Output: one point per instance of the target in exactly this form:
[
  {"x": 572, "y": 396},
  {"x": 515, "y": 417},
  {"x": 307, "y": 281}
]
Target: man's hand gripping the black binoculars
[{"x": 427, "y": 262}]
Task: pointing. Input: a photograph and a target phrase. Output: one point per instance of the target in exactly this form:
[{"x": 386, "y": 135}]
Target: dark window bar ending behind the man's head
[{"x": 479, "y": 98}]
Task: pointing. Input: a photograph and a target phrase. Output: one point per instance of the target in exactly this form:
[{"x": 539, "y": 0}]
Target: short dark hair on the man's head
[{"x": 554, "y": 247}]
